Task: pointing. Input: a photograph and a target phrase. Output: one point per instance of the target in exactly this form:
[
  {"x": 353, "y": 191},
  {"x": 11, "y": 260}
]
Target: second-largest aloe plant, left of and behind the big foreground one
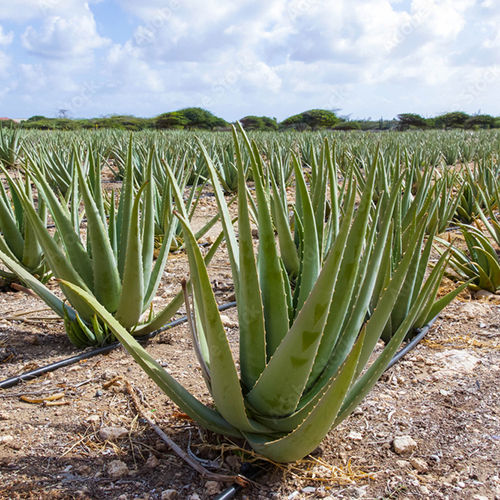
[{"x": 116, "y": 265}]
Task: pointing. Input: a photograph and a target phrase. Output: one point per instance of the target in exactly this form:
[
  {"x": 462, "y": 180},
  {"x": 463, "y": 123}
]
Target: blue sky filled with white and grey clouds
[{"x": 362, "y": 58}]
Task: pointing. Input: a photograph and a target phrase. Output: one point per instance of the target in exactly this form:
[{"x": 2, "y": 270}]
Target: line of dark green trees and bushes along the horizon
[{"x": 314, "y": 119}]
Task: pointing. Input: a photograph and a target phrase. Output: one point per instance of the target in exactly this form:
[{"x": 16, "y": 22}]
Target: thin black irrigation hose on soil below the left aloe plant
[{"x": 12, "y": 381}]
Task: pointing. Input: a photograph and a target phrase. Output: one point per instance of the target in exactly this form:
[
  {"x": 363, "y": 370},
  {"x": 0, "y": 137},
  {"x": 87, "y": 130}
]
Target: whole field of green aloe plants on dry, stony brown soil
[{"x": 329, "y": 252}]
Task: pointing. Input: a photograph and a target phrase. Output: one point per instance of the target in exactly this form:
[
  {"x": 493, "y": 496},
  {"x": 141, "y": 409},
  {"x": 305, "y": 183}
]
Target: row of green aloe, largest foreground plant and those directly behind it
[{"x": 307, "y": 328}]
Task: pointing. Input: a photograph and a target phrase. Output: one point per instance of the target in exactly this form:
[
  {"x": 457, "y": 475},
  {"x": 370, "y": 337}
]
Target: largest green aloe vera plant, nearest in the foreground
[{"x": 304, "y": 365}]
